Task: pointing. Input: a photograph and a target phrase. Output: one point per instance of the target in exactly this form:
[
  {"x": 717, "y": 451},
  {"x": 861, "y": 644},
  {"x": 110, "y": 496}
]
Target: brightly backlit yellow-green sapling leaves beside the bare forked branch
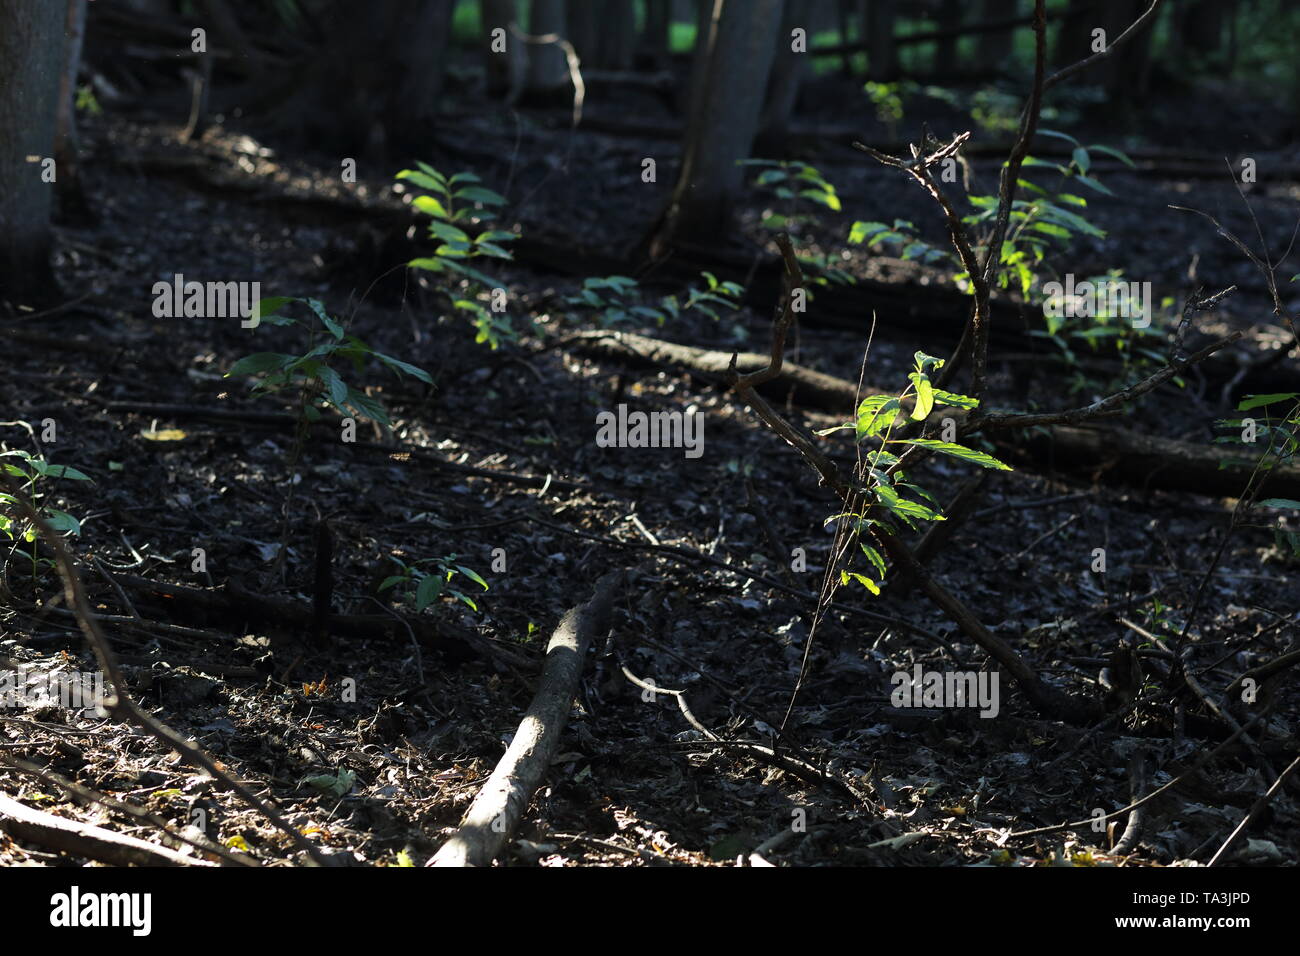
[{"x": 890, "y": 499}]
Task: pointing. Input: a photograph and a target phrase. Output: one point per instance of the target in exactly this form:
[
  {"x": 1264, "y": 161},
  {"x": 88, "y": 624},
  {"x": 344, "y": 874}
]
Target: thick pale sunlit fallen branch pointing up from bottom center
[{"x": 500, "y": 806}]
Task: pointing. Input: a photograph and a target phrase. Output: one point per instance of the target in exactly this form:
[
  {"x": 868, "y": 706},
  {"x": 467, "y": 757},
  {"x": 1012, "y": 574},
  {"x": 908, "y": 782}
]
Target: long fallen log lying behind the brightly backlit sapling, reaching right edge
[{"x": 1107, "y": 453}]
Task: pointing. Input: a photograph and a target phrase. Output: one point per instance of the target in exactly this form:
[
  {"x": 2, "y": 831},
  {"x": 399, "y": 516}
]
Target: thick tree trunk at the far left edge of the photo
[{"x": 32, "y": 57}]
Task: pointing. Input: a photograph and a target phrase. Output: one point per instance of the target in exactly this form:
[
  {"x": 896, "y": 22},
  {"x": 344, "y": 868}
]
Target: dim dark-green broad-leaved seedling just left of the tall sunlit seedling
[{"x": 313, "y": 375}]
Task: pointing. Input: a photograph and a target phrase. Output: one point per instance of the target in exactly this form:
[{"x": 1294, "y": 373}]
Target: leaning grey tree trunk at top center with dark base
[{"x": 736, "y": 58}]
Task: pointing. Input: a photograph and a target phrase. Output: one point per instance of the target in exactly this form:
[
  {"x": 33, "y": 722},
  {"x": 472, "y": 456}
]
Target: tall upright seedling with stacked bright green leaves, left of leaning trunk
[{"x": 454, "y": 206}]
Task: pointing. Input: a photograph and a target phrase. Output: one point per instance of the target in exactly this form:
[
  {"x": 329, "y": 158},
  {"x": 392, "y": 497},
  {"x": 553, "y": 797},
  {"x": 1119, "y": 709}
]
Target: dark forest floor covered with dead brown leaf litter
[{"x": 384, "y": 778}]
